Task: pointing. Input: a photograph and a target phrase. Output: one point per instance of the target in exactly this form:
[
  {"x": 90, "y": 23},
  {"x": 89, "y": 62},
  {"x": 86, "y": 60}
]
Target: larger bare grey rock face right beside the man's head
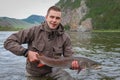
[{"x": 73, "y": 17}]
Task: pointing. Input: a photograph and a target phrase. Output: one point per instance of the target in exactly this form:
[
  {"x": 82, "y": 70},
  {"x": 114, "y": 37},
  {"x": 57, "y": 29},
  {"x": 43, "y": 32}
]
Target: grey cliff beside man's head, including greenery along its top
[{"x": 72, "y": 16}]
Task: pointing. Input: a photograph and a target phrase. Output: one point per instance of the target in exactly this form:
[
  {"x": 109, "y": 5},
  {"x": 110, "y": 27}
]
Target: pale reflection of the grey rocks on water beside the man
[{"x": 81, "y": 39}]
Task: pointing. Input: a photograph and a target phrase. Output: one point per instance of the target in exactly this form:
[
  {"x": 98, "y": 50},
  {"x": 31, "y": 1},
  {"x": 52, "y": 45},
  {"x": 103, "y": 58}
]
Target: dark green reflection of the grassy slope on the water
[{"x": 108, "y": 42}]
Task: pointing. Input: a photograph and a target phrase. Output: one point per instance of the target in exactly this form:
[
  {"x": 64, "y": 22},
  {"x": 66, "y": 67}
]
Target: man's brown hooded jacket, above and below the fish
[{"x": 41, "y": 39}]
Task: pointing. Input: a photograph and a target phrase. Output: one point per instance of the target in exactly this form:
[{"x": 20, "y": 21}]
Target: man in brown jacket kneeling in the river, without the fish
[{"x": 48, "y": 39}]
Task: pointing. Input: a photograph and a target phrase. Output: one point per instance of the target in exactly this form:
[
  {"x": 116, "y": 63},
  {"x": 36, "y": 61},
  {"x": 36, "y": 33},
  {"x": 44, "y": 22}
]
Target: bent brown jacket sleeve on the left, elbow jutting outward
[{"x": 14, "y": 42}]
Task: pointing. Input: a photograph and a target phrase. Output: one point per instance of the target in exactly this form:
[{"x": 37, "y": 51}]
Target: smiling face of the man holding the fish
[{"x": 53, "y": 19}]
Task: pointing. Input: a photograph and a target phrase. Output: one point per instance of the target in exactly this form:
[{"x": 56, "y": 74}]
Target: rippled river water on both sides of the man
[{"x": 101, "y": 47}]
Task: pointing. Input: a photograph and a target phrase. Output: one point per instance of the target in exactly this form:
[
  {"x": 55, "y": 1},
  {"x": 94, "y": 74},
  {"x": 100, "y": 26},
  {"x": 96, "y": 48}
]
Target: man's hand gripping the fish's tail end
[{"x": 32, "y": 56}]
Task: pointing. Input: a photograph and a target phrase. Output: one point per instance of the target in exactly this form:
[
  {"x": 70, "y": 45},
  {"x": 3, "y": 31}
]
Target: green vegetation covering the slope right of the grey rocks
[{"x": 104, "y": 13}]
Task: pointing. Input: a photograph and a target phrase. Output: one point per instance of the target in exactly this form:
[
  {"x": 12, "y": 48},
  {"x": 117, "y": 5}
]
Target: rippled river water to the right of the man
[{"x": 102, "y": 47}]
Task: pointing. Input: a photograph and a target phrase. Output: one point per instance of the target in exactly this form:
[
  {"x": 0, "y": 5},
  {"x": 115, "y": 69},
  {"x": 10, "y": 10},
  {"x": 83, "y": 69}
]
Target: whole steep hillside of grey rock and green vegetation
[{"x": 89, "y": 14}]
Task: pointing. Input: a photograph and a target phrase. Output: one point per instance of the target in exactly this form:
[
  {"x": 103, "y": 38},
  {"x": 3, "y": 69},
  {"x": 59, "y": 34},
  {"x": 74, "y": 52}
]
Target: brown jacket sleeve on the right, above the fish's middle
[{"x": 67, "y": 48}]
